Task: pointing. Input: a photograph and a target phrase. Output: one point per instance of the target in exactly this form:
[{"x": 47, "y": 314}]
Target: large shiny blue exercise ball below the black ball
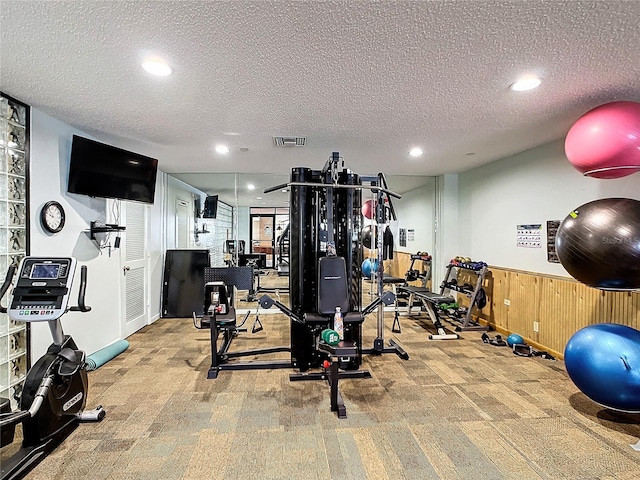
[{"x": 603, "y": 360}]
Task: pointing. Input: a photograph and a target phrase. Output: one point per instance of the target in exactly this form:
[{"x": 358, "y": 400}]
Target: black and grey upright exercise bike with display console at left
[{"x": 55, "y": 390}]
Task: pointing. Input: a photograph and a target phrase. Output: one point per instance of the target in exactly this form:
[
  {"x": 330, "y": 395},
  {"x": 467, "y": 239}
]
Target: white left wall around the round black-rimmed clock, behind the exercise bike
[{"x": 50, "y": 149}]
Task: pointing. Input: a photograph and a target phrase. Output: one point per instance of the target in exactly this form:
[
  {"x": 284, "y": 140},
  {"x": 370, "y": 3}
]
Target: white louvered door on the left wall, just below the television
[{"x": 134, "y": 268}]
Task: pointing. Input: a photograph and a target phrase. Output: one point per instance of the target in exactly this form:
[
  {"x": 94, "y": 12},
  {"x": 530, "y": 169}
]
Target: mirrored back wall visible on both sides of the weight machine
[{"x": 256, "y": 233}]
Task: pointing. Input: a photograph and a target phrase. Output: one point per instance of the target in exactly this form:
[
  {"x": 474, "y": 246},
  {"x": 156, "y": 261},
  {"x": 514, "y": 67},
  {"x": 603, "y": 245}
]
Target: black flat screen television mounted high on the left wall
[{"x": 100, "y": 170}]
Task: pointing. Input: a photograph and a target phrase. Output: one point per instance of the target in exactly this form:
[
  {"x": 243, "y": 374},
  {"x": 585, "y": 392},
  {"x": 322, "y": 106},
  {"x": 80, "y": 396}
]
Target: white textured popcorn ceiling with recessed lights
[{"x": 369, "y": 79}]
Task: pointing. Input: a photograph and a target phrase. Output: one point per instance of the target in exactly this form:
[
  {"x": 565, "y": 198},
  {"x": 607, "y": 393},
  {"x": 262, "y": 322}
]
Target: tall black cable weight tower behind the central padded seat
[{"x": 326, "y": 219}]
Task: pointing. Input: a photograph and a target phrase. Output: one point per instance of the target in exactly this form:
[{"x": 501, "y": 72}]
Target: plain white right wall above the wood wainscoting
[{"x": 528, "y": 188}]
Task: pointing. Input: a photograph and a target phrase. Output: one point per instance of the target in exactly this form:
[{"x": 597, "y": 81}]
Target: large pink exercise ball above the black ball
[{"x": 605, "y": 142}]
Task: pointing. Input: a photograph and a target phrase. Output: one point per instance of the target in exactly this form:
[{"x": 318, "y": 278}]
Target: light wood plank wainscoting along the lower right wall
[{"x": 561, "y": 306}]
